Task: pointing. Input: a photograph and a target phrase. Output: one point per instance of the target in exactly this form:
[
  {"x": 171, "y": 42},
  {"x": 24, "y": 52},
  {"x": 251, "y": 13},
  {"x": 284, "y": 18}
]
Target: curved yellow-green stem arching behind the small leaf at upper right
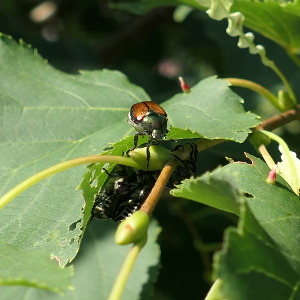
[{"x": 256, "y": 88}]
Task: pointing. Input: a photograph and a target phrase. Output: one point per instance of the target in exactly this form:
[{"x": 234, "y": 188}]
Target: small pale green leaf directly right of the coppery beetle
[{"x": 211, "y": 109}]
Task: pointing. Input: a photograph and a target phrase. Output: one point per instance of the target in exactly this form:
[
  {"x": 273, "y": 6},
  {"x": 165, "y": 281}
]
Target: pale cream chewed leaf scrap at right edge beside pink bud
[{"x": 284, "y": 169}]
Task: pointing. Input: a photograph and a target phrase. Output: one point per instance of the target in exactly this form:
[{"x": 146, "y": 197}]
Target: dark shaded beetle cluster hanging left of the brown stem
[{"x": 124, "y": 191}]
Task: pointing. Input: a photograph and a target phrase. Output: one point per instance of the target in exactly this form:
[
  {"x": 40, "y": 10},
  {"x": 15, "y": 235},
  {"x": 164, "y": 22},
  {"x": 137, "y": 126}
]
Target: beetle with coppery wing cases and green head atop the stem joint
[{"x": 148, "y": 118}]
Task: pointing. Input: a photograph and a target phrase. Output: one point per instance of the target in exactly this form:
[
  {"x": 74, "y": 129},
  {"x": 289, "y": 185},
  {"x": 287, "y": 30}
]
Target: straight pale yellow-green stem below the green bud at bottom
[{"x": 124, "y": 273}]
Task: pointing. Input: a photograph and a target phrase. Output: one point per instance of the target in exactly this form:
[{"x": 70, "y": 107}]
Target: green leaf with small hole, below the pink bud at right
[{"x": 276, "y": 207}]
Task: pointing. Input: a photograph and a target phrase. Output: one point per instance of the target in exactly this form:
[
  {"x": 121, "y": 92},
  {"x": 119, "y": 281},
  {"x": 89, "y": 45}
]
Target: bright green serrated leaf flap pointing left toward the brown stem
[{"x": 216, "y": 190}]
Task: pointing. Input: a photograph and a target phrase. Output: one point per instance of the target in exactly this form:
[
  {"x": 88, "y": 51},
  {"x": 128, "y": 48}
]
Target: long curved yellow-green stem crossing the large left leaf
[{"x": 6, "y": 198}]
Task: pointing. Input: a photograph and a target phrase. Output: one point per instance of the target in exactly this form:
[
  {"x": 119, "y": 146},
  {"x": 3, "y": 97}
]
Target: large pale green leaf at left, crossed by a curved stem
[{"x": 48, "y": 117}]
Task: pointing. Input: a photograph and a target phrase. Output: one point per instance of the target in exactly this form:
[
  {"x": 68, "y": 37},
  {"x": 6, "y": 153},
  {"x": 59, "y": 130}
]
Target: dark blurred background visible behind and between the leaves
[{"x": 153, "y": 50}]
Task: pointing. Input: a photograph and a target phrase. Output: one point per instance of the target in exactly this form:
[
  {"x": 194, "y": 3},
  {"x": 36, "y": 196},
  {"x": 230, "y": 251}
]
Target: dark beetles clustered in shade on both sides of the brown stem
[{"x": 126, "y": 188}]
